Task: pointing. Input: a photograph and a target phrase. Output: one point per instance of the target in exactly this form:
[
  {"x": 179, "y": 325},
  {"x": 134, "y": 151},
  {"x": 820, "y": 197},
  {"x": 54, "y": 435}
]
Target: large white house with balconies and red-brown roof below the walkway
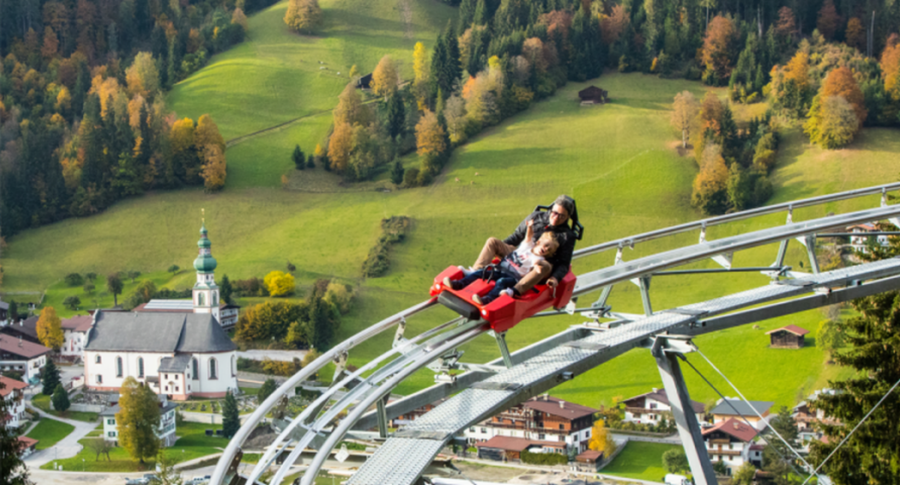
[{"x": 540, "y": 419}]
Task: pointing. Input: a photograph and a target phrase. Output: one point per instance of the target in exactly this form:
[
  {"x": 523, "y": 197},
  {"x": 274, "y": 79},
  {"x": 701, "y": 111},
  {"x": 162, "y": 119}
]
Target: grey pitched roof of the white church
[{"x": 158, "y": 332}]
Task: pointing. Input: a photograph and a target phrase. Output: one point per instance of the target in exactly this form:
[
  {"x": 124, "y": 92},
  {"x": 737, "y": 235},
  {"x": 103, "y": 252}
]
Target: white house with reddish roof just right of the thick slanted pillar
[{"x": 731, "y": 442}]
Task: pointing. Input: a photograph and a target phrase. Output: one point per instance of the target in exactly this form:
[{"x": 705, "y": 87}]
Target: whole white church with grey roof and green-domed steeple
[{"x": 177, "y": 353}]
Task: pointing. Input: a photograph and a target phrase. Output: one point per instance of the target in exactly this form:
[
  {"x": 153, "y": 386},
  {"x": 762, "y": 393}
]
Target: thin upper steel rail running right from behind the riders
[{"x": 630, "y": 241}]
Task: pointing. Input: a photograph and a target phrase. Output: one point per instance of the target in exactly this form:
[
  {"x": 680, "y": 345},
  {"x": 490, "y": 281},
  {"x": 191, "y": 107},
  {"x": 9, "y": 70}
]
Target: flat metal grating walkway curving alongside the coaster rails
[{"x": 406, "y": 454}]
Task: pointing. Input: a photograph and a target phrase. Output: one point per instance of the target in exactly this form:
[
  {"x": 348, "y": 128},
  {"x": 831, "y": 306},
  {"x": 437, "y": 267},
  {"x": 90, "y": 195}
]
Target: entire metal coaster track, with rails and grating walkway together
[{"x": 534, "y": 369}]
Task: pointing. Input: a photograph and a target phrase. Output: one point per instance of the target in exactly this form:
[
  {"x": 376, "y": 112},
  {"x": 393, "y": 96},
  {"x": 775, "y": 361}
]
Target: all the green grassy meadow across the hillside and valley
[{"x": 618, "y": 160}]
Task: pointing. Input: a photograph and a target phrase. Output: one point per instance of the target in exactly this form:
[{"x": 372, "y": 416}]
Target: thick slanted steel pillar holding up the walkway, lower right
[{"x": 666, "y": 352}]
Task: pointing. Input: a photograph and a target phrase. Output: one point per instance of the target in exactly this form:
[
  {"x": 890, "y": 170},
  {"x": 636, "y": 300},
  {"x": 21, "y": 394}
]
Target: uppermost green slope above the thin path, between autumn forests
[{"x": 276, "y": 76}]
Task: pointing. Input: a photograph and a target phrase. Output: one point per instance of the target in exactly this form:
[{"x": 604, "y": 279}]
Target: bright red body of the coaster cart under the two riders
[{"x": 504, "y": 312}]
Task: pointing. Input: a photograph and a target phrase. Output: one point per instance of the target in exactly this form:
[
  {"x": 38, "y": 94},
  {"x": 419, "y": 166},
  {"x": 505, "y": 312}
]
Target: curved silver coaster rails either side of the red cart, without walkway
[{"x": 419, "y": 356}]
